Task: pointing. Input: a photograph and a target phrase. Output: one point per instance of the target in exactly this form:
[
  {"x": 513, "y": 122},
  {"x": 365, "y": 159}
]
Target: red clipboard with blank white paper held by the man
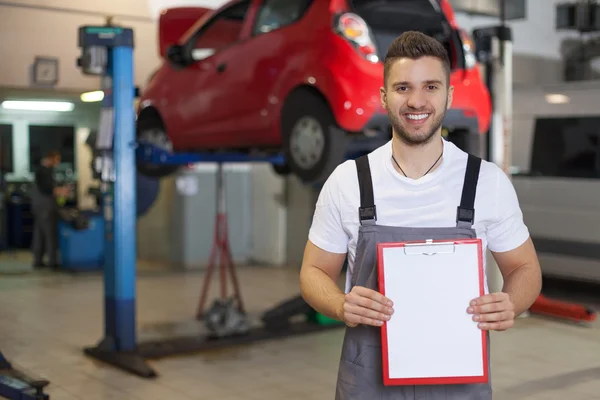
[{"x": 431, "y": 339}]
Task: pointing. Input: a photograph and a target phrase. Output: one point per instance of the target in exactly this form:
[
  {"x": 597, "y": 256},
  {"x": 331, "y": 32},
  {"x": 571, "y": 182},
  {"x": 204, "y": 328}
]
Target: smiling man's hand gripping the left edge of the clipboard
[{"x": 367, "y": 307}]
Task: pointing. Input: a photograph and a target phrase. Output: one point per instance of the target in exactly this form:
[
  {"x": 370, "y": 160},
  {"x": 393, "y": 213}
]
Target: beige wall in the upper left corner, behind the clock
[{"x": 31, "y": 28}]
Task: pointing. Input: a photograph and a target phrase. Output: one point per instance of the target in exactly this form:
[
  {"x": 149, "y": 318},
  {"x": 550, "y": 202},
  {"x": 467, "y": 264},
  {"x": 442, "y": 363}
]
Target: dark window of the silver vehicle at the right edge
[{"x": 566, "y": 147}]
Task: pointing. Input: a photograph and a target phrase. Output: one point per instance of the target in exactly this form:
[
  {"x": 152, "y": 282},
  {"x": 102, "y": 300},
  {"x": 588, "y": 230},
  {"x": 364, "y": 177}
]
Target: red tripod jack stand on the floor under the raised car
[{"x": 221, "y": 249}]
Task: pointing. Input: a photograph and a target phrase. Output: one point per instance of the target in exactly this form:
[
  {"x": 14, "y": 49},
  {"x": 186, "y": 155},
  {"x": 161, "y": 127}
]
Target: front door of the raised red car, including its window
[{"x": 211, "y": 49}]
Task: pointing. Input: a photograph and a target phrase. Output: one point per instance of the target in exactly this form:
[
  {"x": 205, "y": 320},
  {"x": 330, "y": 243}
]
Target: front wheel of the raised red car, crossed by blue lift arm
[{"x": 150, "y": 130}]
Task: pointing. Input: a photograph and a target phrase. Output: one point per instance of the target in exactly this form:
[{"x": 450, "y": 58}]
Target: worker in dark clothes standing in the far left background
[{"x": 45, "y": 212}]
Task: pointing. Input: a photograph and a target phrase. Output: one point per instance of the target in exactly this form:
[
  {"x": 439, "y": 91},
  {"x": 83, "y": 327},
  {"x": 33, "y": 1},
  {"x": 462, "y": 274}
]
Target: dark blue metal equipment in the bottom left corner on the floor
[{"x": 16, "y": 385}]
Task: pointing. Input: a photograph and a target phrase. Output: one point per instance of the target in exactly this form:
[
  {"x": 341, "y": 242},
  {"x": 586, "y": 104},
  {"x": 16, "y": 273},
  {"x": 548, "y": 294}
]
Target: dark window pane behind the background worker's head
[{"x": 45, "y": 138}]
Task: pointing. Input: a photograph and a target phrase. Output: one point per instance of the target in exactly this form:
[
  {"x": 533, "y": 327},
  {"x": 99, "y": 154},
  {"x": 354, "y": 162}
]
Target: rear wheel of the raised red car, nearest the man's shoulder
[{"x": 313, "y": 144}]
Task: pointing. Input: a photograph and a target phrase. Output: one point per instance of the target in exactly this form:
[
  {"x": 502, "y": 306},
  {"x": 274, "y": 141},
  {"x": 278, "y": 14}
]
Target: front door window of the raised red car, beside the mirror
[{"x": 224, "y": 30}]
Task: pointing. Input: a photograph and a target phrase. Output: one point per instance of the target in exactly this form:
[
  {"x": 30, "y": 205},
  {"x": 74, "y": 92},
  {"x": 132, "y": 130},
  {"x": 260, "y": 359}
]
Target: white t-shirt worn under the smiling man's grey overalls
[{"x": 430, "y": 201}]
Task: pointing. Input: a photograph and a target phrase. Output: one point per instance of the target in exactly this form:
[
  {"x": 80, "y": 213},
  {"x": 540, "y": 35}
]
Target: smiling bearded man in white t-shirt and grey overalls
[{"x": 412, "y": 189}]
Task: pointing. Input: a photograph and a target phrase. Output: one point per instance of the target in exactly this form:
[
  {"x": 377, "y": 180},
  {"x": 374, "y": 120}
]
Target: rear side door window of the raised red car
[{"x": 275, "y": 14}]
